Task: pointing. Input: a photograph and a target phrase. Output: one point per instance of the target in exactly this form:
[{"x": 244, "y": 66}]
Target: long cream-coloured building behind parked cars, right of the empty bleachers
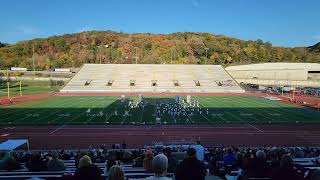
[{"x": 279, "y": 74}]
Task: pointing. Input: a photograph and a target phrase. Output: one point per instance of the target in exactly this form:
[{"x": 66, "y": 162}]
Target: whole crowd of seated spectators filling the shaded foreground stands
[{"x": 273, "y": 162}]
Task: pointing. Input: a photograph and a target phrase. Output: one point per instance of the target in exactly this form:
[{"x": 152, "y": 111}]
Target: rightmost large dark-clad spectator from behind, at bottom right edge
[{"x": 286, "y": 170}]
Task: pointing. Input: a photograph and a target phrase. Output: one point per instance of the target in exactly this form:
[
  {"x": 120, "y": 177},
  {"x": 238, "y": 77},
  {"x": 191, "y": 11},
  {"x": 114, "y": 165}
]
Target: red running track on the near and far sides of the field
[{"x": 53, "y": 137}]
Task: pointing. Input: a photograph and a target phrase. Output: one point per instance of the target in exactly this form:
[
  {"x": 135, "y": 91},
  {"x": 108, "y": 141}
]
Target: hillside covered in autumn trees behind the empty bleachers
[{"x": 73, "y": 50}]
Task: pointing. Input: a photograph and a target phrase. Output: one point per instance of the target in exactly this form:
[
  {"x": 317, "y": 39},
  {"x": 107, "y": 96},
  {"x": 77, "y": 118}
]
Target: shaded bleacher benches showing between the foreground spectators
[{"x": 305, "y": 165}]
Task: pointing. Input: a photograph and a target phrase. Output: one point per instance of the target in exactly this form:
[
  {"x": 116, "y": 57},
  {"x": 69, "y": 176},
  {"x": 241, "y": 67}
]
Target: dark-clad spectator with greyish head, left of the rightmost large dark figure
[{"x": 257, "y": 166}]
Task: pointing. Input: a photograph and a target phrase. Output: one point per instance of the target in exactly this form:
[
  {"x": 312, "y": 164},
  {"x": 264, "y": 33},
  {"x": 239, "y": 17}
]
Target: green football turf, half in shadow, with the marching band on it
[{"x": 110, "y": 110}]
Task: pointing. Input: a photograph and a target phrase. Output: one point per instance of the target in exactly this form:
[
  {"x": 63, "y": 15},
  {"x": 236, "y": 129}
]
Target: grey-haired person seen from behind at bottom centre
[{"x": 159, "y": 166}]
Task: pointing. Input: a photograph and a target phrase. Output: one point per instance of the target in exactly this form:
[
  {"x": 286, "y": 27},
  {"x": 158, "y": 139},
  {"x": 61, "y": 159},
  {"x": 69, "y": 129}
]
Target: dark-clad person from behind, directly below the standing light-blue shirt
[{"x": 191, "y": 168}]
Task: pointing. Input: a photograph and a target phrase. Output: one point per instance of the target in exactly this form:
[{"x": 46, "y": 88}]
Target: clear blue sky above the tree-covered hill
[{"x": 289, "y": 23}]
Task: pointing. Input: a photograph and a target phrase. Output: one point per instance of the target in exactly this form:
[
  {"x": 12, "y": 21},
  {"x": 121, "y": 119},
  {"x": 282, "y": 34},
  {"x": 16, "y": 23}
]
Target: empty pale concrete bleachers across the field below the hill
[{"x": 152, "y": 78}]
